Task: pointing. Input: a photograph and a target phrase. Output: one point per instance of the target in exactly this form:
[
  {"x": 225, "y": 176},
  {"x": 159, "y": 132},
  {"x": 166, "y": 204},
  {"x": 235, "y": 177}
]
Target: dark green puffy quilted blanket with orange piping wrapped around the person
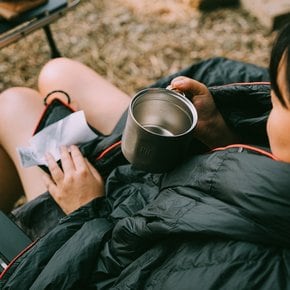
[{"x": 220, "y": 220}]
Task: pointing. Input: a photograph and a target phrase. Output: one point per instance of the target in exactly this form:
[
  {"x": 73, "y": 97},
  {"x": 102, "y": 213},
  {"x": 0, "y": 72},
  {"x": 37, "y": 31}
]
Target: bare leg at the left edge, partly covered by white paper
[{"x": 20, "y": 110}]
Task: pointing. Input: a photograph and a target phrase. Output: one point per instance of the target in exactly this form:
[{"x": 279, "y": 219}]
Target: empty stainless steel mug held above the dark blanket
[{"x": 158, "y": 129}]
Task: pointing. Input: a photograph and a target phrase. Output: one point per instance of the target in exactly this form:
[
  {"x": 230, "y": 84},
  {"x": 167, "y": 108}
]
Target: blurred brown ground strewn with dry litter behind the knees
[{"x": 134, "y": 42}]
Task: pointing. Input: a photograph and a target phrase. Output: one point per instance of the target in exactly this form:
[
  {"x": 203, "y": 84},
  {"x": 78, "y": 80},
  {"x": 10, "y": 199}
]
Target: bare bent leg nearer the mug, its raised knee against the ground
[{"x": 102, "y": 102}]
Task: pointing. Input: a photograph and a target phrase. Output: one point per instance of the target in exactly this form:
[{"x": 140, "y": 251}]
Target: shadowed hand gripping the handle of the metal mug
[{"x": 211, "y": 128}]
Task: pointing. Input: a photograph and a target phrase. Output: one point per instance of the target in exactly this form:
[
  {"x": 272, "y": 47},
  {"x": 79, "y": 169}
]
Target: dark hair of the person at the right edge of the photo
[{"x": 281, "y": 46}]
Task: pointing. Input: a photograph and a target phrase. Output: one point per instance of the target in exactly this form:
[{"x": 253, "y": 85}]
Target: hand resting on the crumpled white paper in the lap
[{"x": 76, "y": 184}]
